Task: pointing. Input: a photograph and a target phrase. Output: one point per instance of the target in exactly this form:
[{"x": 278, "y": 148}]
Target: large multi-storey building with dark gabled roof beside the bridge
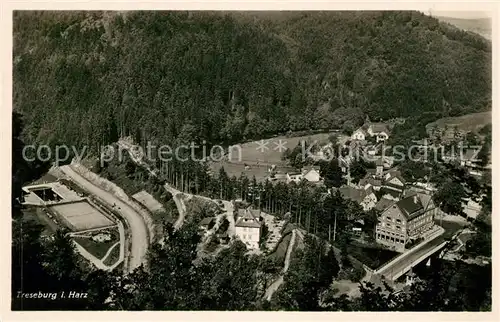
[{"x": 406, "y": 220}]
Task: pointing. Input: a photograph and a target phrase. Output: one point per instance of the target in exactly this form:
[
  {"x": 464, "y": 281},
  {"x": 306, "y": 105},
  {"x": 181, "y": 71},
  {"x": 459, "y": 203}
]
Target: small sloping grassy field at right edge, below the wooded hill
[{"x": 467, "y": 123}]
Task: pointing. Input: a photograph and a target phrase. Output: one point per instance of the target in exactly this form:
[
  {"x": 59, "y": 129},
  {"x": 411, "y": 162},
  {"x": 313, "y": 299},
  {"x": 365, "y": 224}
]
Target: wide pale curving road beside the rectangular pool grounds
[{"x": 138, "y": 229}]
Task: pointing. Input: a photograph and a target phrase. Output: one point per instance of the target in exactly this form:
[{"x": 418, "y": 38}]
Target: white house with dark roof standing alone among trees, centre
[{"x": 248, "y": 227}]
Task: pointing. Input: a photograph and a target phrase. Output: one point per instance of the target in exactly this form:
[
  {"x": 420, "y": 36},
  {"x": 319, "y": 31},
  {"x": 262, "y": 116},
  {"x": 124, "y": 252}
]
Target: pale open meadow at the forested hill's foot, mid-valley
[{"x": 260, "y": 159}]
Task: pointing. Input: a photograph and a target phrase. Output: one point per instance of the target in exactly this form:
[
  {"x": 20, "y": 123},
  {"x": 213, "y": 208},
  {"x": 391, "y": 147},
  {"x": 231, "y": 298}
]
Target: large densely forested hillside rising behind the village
[{"x": 88, "y": 77}]
